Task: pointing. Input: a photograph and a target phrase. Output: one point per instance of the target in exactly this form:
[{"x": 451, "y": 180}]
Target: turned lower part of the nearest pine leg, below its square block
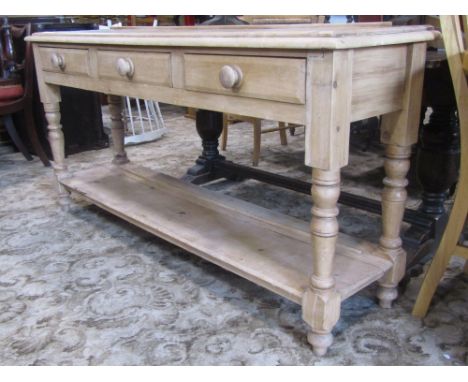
[{"x": 321, "y": 303}]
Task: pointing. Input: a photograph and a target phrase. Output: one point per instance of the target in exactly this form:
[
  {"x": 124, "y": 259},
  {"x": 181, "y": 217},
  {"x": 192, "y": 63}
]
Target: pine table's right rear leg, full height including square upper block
[{"x": 399, "y": 130}]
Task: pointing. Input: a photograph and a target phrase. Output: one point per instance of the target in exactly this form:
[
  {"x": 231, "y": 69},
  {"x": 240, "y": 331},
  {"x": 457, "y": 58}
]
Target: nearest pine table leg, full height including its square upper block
[{"x": 326, "y": 151}]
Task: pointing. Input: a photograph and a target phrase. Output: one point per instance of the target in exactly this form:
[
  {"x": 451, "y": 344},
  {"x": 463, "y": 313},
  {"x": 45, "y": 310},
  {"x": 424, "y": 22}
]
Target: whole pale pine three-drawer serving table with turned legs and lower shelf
[{"x": 330, "y": 76}]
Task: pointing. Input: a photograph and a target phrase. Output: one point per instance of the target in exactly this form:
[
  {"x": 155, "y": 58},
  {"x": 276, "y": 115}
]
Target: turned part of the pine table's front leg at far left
[{"x": 57, "y": 146}]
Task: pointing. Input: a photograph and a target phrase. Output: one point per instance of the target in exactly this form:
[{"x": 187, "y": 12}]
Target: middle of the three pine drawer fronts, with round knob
[{"x": 143, "y": 67}]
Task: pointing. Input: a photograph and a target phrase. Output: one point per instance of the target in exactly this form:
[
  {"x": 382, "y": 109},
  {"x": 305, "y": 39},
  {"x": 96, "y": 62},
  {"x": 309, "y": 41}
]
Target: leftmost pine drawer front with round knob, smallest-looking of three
[{"x": 65, "y": 60}]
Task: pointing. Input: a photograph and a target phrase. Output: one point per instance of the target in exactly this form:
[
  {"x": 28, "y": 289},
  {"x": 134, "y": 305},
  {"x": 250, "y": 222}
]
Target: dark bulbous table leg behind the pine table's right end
[{"x": 438, "y": 152}]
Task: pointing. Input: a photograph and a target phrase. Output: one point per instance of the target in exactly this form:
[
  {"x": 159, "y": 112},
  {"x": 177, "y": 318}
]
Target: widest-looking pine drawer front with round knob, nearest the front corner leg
[{"x": 270, "y": 78}]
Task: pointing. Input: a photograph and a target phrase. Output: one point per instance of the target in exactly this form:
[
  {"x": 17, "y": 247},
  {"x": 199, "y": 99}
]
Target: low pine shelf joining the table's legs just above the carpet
[{"x": 263, "y": 246}]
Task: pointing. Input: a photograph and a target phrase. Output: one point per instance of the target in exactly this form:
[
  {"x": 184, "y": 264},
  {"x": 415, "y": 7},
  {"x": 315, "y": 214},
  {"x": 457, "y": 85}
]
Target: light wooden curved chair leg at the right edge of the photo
[{"x": 449, "y": 245}]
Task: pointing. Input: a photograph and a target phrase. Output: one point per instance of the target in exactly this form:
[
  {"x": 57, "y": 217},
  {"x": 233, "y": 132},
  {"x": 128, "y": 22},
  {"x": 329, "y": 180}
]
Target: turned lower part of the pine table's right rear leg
[{"x": 393, "y": 206}]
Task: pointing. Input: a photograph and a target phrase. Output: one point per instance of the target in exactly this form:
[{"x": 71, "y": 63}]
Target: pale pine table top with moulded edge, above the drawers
[{"x": 297, "y": 36}]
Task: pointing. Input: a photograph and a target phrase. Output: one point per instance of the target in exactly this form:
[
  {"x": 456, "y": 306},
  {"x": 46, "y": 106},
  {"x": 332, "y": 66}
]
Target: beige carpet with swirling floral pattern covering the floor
[{"x": 81, "y": 287}]
